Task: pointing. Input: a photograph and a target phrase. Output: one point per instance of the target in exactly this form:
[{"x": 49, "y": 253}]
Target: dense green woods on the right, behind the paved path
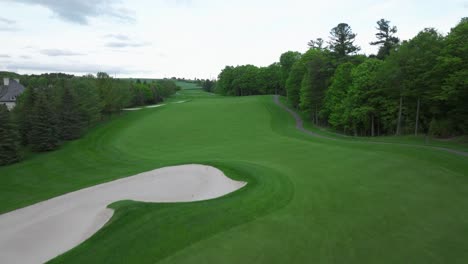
[{"x": 409, "y": 87}]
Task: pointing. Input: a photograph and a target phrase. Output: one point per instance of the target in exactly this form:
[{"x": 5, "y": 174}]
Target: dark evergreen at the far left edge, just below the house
[{"x": 9, "y": 138}]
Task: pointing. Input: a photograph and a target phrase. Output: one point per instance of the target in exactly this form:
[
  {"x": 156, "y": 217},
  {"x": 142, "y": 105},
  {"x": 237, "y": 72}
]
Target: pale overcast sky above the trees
[{"x": 192, "y": 38}]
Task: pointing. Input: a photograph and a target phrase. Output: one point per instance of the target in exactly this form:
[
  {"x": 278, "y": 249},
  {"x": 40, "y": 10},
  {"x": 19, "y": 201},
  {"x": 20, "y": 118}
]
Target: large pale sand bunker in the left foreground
[{"x": 40, "y": 232}]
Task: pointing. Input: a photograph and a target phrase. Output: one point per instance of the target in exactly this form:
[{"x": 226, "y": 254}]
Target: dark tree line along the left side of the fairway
[{"x": 58, "y": 107}]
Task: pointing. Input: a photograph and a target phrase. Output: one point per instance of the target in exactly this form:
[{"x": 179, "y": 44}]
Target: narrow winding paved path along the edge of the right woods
[{"x": 300, "y": 127}]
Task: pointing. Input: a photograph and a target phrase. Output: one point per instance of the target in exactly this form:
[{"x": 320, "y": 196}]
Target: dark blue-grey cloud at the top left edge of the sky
[{"x": 80, "y": 11}]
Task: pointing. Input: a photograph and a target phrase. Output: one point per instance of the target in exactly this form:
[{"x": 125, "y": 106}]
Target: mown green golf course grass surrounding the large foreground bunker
[{"x": 308, "y": 200}]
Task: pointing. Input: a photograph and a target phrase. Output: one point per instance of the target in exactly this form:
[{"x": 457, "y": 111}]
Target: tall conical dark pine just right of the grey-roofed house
[{"x": 44, "y": 133}]
